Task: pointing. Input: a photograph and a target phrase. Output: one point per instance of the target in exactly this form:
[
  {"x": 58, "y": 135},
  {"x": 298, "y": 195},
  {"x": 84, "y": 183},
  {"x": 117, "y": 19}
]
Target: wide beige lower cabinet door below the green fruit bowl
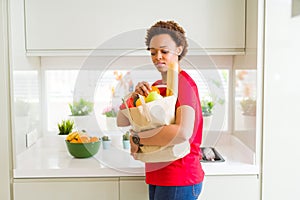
[{"x": 75, "y": 189}]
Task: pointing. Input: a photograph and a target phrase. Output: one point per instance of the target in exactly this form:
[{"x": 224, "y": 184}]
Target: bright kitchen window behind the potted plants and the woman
[{"x": 108, "y": 89}]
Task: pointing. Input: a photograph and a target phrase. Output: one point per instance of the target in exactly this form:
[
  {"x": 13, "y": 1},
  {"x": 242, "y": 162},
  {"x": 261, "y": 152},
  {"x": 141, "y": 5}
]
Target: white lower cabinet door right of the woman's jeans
[{"x": 231, "y": 187}]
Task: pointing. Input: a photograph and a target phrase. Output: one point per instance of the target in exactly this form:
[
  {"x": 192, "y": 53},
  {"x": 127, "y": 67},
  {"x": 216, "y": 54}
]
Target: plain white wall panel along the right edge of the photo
[{"x": 281, "y": 134}]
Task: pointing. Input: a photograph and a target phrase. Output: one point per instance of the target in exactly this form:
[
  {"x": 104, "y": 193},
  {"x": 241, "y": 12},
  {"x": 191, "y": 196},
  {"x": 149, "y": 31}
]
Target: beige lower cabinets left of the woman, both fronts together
[{"x": 119, "y": 188}]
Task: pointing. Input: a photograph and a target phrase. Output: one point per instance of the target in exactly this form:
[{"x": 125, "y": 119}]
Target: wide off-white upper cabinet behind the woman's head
[{"x": 77, "y": 27}]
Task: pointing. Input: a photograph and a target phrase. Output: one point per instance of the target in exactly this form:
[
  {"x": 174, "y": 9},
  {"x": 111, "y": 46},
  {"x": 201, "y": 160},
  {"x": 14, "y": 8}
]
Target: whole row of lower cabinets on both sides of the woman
[{"x": 231, "y": 187}]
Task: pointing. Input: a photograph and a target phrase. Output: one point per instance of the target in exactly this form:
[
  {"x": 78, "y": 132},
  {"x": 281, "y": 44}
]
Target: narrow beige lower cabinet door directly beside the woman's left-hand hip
[{"x": 133, "y": 188}]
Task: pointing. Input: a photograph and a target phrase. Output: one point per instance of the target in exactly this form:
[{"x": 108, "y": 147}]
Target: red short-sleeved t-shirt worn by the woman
[{"x": 187, "y": 170}]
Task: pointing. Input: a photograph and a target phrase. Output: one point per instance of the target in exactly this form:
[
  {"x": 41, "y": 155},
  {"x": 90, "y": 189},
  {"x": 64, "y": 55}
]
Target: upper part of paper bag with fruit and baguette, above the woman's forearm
[{"x": 156, "y": 110}]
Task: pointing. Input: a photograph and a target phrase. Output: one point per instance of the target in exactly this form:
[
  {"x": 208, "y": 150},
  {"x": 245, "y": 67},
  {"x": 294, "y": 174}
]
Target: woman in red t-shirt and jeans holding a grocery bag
[{"x": 182, "y": 178}]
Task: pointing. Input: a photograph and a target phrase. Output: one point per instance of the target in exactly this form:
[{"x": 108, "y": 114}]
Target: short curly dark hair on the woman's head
[{"x": 171, "y": 28}]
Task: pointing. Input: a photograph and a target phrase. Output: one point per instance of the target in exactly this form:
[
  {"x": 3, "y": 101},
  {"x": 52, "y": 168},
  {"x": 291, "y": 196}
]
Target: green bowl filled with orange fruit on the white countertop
[{"x": 80, "y": 145}]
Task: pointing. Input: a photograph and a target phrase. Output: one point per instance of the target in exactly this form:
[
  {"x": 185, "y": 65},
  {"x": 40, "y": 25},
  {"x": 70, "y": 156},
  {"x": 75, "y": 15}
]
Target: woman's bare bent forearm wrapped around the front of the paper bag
[{"x": 171, "y": 134}]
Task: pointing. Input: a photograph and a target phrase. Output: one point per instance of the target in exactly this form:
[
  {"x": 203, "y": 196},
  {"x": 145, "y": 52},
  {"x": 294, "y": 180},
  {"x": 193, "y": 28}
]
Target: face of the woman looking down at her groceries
[{"x": 163, "y": 51}]
